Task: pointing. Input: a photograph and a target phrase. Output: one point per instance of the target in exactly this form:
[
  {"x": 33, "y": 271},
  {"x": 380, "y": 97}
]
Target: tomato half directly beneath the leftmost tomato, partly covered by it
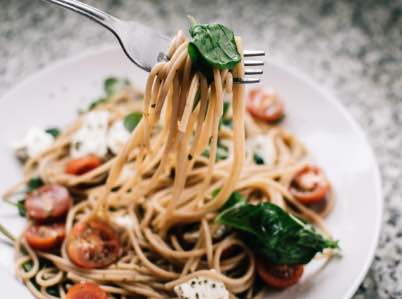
[{"x": 44, "y": 236}]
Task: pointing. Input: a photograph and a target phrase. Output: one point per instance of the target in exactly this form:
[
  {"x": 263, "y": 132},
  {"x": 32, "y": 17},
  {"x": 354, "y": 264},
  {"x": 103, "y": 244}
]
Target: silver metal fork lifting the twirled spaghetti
[{"x": 144, "y": 46}]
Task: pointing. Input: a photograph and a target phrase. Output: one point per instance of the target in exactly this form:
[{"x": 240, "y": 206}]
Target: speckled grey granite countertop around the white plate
[{"x": 354, "y": 48}]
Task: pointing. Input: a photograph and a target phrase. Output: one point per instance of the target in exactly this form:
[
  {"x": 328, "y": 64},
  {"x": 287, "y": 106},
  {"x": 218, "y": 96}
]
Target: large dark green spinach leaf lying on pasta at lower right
[{"x": 273, "y": 233}]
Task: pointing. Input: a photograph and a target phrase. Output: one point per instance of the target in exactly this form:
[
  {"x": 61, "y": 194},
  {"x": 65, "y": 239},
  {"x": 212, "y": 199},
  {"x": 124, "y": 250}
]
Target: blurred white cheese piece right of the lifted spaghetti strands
[{"x": 263, "y": 147}]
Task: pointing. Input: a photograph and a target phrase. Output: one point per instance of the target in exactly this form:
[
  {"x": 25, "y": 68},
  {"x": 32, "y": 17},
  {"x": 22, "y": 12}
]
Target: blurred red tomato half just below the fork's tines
[{"x": 265, "y": 105}]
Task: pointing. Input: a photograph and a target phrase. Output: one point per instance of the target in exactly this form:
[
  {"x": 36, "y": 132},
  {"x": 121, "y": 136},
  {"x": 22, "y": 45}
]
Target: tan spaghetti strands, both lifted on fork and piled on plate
[{"x": 164, "y": 211}]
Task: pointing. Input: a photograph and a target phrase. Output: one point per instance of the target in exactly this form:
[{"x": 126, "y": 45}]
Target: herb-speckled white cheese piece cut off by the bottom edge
[{"x": 202, "y": 288}]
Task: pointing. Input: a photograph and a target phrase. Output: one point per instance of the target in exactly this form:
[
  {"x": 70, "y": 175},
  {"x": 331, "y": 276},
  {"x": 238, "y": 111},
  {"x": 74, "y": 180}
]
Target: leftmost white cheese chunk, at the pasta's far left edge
[{"x": 35, "y": 142}]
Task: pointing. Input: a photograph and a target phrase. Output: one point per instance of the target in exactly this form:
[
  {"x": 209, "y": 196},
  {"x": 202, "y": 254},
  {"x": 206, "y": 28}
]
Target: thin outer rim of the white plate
[{"x": 327, "y": 93}]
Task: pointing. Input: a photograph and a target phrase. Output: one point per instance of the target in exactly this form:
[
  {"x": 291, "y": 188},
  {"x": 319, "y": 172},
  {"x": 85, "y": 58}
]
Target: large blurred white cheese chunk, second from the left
[{"x": 91, "y": 138}]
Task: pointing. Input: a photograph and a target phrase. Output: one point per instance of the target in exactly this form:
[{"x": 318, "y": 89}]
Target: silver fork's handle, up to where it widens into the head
[{"x": 89, "y": 11}]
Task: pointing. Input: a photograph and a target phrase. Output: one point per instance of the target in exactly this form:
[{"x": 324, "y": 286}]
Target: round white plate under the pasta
[{"x": 53, "y": 96}]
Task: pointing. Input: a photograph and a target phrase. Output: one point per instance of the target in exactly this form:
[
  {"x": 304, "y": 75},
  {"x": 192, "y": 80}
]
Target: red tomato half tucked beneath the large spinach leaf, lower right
[{"x": 279, "y": 276}]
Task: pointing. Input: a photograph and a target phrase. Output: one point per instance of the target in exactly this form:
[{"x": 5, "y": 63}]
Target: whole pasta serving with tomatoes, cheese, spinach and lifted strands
[{"x": 191, "y": 189}]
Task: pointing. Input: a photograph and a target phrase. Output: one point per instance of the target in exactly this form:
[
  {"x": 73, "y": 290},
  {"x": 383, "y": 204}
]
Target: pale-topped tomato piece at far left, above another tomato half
[{"x": 48, "y": 202}]
